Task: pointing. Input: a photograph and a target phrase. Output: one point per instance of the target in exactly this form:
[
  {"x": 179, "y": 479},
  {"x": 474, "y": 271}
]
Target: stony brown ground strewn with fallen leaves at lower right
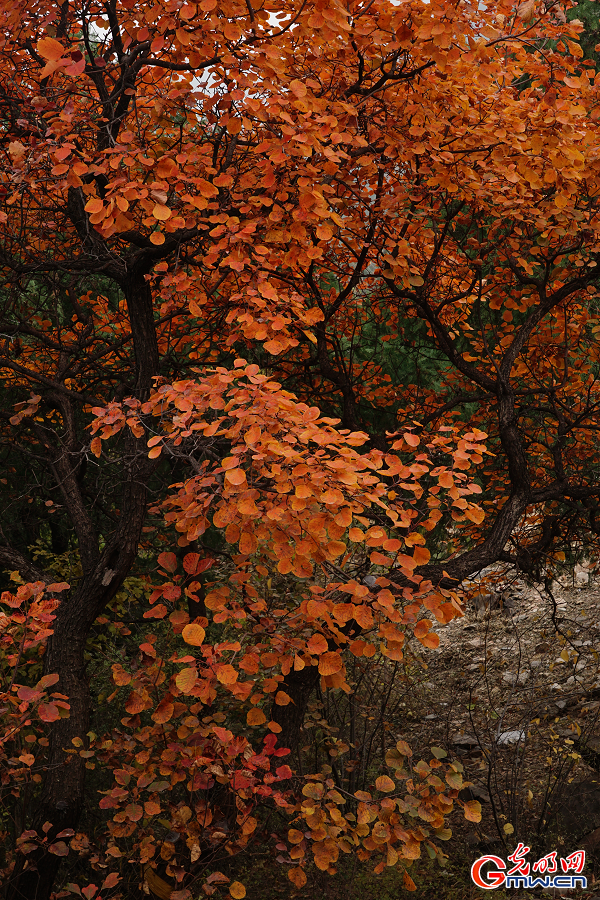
[{"x": 514, "y": 694}]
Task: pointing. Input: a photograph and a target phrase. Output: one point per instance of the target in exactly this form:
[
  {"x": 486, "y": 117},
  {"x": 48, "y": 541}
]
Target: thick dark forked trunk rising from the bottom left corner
[{"x": 62, "y": 799}]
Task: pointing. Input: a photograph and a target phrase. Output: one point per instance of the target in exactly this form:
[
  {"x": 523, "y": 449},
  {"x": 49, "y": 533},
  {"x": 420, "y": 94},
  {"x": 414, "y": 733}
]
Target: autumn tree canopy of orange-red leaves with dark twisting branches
[{"x": 206, "y": 211}]
